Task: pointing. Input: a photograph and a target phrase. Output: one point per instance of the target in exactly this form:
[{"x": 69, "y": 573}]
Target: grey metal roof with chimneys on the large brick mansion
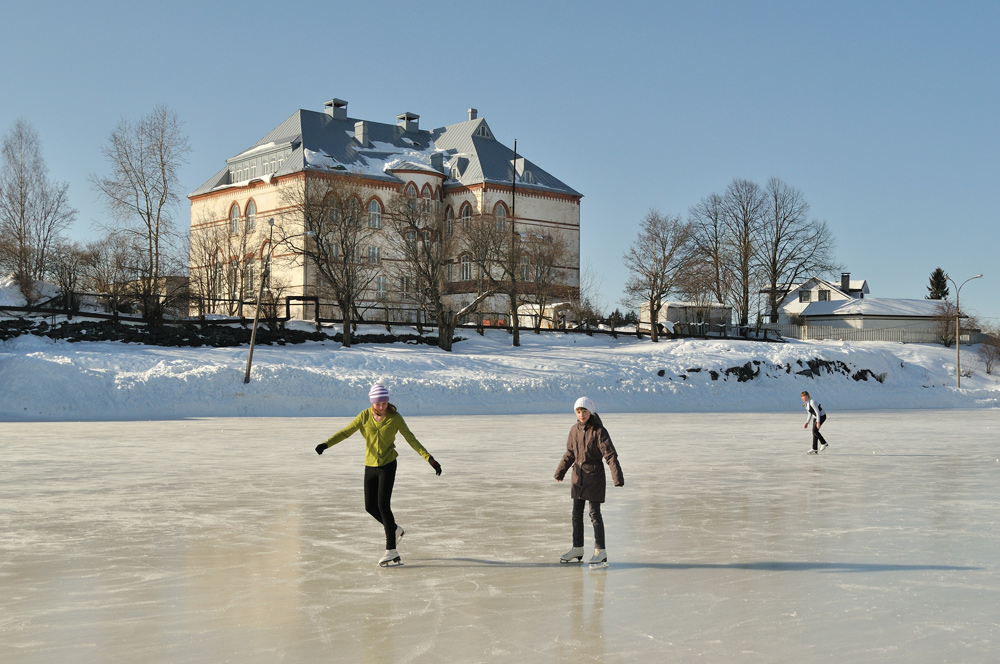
[{"x": 463, "y": 154}]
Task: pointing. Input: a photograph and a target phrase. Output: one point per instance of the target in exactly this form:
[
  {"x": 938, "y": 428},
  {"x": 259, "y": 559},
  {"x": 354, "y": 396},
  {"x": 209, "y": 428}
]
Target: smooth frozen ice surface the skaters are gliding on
[{"x": 230, "y": 540}]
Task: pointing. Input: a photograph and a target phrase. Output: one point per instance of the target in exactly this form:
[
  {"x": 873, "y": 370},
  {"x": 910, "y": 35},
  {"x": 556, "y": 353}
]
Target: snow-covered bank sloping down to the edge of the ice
[{"x": 42, "y": 379}]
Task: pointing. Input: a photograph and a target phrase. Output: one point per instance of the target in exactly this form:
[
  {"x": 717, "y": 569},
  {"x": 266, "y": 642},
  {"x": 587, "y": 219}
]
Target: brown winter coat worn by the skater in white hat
[{"x": 585, "y": 448}]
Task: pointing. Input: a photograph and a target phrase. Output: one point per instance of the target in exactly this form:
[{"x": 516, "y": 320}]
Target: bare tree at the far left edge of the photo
[{"x": 33, "y": 211}]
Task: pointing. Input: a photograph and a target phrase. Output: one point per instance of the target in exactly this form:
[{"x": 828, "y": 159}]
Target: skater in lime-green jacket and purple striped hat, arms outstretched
[{"x": 379, "y": 426}]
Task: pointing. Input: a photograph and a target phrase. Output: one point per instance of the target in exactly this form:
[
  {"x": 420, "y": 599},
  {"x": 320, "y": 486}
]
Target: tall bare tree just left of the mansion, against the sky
[{"x": 141, "y": 190}]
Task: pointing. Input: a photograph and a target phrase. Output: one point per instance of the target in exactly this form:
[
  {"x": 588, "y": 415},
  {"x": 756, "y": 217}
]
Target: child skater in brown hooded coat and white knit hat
[{"x": 587, "y": 445}]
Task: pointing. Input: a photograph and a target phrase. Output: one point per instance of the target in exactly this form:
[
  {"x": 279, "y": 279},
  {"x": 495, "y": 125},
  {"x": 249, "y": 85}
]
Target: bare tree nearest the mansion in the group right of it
[{"x": 657, "y": 261}]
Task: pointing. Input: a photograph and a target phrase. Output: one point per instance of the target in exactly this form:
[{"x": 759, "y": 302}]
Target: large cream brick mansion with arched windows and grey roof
[{"x": 462, "y": 170}]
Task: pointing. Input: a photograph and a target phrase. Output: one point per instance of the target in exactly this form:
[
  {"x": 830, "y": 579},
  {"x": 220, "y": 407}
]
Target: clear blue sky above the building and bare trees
[{"x": 884, "y": 114}]
